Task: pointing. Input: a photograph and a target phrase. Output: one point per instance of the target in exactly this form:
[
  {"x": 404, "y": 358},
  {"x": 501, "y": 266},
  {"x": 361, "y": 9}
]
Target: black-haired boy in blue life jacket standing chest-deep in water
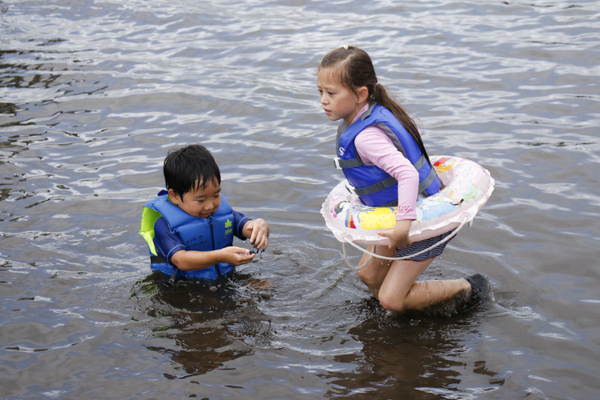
[{"x": 190, "y": 227}]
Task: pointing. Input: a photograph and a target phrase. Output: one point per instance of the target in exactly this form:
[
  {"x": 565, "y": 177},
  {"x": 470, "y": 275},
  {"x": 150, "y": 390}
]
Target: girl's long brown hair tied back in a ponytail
[{"x": 353, "y": 68}]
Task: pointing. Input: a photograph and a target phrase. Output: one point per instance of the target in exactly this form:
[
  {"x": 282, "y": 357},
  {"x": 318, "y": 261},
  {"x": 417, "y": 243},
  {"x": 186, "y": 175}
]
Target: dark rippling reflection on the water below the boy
[{"x": 205, "y": 325}]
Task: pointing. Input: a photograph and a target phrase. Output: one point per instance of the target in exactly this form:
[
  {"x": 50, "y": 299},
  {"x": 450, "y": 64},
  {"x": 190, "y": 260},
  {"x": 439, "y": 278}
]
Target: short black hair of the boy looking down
[{"x": 190, "y": 168}]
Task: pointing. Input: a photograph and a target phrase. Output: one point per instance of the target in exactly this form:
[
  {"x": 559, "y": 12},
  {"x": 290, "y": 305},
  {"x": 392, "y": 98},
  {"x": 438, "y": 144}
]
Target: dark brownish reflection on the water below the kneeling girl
[{"x": 413, "y": 355}]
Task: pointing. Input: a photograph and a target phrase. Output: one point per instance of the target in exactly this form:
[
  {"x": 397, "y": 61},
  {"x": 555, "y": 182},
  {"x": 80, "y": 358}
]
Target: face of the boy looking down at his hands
[{"x": 199, "y": 202}]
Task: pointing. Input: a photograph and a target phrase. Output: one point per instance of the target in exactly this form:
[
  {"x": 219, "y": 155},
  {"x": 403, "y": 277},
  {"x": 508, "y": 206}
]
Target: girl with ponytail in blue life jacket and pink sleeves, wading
[{"x": 383, "y": 157}]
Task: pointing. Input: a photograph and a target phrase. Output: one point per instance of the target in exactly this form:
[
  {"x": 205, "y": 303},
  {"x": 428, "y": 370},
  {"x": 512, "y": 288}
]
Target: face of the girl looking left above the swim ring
[{"x": 338, "y": 102}]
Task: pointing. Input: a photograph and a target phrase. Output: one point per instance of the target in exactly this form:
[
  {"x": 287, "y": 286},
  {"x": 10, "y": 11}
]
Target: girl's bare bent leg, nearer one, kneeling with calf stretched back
[{"x": 399, "y": 290}]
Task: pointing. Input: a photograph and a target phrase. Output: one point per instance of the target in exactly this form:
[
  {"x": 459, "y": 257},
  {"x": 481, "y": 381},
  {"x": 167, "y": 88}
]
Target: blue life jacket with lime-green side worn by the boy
[{"x": 202, "y": 234}]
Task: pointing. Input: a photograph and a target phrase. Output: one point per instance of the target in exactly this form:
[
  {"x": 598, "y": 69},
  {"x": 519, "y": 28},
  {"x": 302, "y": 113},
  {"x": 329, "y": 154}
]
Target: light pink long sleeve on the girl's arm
[{"x": 374, "y": 146}]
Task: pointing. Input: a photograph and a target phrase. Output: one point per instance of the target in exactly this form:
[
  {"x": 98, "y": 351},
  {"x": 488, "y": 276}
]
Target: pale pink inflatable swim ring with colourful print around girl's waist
[{"x": 467, "y": 187}]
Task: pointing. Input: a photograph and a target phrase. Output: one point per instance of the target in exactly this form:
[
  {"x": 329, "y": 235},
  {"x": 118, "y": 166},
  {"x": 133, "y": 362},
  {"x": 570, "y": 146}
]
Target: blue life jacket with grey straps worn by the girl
[{"x": 374, "y": 186}]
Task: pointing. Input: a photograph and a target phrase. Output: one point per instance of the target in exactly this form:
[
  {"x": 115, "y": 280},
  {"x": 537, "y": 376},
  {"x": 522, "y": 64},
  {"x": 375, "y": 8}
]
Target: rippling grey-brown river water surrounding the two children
[{"x": 93, "y": 93}]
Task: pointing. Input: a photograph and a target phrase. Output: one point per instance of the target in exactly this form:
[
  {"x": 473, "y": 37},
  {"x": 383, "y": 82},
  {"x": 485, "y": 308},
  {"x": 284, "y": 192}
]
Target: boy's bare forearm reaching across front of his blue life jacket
[{"x": 188, "y": 260}]
